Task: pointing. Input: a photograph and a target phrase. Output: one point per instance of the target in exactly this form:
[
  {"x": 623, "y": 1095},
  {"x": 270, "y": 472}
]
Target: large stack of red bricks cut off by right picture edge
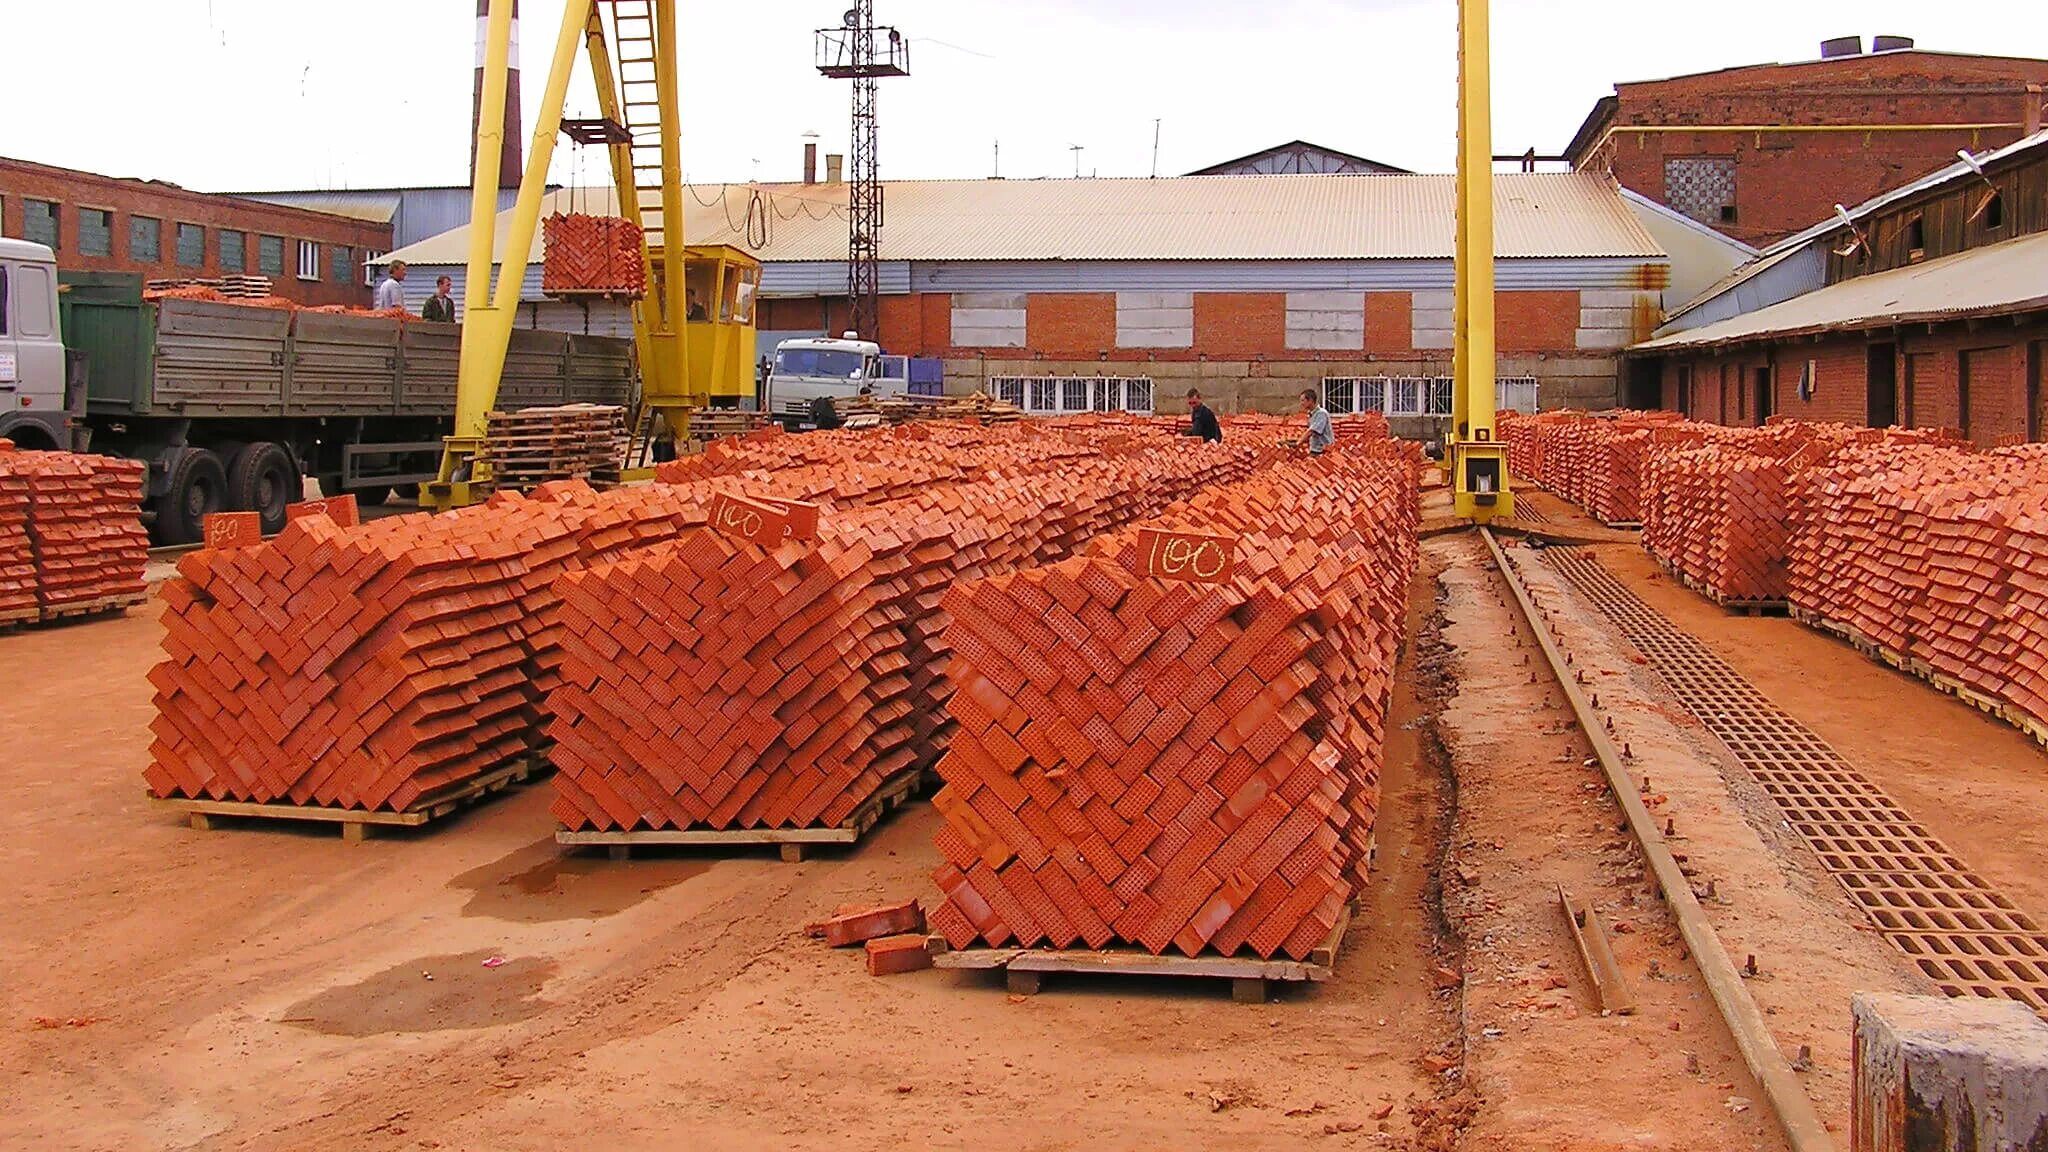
[{"x": 1930, "y": 559}]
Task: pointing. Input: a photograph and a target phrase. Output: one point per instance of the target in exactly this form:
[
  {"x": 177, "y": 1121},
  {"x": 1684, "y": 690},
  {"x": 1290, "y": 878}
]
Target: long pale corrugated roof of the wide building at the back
[{"x": 1181, "y": 218}]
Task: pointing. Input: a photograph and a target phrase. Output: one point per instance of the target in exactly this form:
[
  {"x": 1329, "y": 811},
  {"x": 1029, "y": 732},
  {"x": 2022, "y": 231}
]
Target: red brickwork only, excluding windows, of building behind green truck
[{"x": 171, "y": 206}]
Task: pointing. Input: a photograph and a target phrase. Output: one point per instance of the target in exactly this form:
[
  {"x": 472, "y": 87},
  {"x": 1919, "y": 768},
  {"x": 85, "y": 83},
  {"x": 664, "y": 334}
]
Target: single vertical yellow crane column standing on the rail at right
[{"x": 1476, "y": 456}]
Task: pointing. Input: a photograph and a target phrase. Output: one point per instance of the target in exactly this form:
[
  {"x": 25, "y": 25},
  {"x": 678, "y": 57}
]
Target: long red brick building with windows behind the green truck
[{"x": 169, "y": 233}]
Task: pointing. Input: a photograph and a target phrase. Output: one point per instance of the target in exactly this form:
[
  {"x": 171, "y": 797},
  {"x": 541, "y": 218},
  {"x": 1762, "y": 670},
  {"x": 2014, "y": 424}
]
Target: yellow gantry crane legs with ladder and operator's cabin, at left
[{"x": 695, "y": 325}]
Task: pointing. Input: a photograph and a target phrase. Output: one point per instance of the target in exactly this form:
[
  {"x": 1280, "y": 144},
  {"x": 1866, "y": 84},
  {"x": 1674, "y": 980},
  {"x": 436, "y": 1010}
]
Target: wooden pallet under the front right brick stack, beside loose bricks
[{"x": 1250, "y": 977}]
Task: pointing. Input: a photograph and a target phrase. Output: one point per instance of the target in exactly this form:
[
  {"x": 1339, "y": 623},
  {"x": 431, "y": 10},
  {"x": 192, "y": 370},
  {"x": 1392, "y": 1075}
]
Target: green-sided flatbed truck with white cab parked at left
[{"x": 234, "y": 405}]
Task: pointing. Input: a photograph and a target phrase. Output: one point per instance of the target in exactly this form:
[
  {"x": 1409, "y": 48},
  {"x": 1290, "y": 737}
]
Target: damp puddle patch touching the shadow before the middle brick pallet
[{"x": 542, "y": 882}]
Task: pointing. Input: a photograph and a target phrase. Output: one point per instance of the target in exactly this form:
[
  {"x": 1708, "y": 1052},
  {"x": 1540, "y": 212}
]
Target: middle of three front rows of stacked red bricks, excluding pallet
[{"x": 779, "y": 667}]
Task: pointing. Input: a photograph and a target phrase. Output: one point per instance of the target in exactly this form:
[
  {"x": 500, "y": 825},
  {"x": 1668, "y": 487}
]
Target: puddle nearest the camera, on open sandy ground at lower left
[{"x": 462, "y": 995}]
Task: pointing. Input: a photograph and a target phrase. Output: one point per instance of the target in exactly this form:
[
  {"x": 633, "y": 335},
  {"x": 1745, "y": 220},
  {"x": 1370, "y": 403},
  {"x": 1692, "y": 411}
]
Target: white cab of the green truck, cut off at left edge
[{"x": 36, "y": 411}]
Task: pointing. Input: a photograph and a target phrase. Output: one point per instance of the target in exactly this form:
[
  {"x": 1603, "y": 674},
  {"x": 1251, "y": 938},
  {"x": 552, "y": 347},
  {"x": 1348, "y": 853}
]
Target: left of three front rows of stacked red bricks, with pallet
[{"x": 396, "y": 671}]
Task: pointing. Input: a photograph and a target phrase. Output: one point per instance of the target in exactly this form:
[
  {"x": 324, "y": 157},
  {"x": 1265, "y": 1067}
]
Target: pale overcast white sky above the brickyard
[{"x": 243, "y": 95}]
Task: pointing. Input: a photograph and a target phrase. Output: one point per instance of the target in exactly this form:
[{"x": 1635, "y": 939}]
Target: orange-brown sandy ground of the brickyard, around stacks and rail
[{"x": 278, "y": 989}]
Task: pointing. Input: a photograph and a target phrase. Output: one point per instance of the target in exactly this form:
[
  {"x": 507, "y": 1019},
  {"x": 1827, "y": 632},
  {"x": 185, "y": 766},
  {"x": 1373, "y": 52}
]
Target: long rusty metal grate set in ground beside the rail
[{"x": 1957, "y": 930}]
